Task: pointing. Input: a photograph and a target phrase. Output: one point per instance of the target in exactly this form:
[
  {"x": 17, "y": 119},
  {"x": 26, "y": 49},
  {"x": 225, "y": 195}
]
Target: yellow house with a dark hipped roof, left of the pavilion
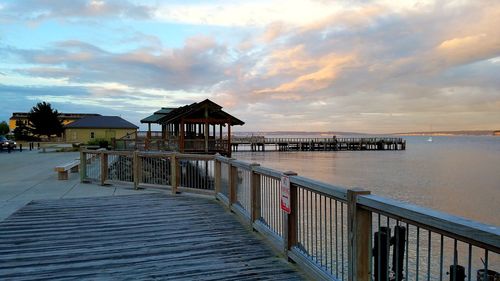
[{"x": 93, "y": 128}]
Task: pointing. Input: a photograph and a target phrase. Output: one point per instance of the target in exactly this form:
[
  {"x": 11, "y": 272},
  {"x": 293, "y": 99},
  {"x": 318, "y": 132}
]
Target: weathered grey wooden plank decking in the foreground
[{"x": 135, "y": 237}]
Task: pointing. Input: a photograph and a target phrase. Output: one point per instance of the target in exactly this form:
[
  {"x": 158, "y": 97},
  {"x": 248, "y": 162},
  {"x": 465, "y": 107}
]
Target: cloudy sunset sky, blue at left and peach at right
[{"x": 302, "y": 65}]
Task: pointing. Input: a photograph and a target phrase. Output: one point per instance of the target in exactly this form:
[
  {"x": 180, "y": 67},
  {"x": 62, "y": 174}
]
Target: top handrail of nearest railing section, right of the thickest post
[{"x": 475, "y": 233}]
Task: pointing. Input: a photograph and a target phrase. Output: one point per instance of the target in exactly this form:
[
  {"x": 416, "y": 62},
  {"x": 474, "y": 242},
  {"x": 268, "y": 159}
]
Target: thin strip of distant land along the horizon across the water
[{"x": 332, "y": 133}]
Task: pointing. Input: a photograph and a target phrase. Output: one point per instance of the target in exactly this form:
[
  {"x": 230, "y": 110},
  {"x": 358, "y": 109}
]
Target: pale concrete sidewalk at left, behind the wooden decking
[{"x": 30, "y": 175}]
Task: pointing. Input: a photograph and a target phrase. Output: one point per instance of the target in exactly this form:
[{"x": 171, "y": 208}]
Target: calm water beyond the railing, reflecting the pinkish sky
[{"x": 457, "y": 175}]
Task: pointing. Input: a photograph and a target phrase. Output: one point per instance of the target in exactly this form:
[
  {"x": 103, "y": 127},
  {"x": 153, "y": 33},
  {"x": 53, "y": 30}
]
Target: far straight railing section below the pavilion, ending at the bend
[{"x": 168, "y": 170}]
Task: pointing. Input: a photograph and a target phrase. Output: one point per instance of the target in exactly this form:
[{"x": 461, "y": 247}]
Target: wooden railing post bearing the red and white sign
[{"x": 290, "y": 220}]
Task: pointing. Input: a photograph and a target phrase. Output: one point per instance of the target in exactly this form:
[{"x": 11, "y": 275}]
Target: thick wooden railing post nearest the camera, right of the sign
[{"x": 359, "y": 238}]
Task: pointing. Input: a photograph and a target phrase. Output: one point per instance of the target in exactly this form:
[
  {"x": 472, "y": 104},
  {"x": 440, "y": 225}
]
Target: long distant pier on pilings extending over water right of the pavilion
[{"x": 315, "y": 144}]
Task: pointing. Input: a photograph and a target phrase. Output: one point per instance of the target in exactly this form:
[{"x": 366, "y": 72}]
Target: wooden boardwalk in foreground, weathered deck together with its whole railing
[{"x": 203, "y": 206}]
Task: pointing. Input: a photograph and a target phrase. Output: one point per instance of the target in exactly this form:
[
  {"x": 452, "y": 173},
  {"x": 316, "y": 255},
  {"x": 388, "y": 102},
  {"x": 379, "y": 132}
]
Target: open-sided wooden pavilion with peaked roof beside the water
[{"x": 196, "y": 128}]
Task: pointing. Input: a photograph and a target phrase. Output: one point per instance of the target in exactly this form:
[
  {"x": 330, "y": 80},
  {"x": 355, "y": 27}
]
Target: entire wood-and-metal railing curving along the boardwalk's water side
[{"x": 331, "y": 232}]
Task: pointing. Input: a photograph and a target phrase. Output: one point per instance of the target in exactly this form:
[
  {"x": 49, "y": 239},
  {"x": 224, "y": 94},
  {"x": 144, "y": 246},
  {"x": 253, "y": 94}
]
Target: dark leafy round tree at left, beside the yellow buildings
[{"x": 44, "y": 121}]
